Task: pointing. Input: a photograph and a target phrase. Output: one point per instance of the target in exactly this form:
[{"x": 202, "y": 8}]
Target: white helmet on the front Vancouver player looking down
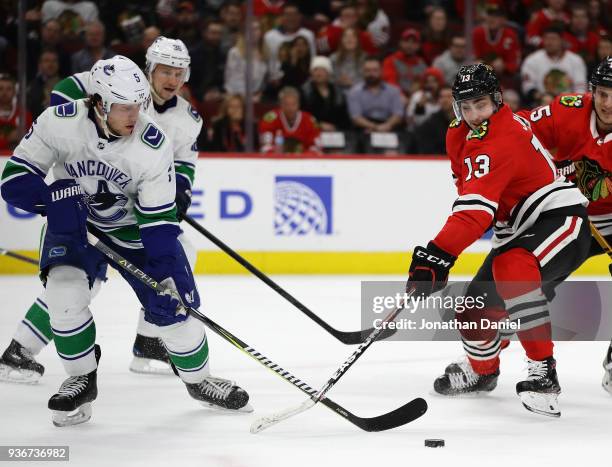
[{"x": 118, "y": 80}]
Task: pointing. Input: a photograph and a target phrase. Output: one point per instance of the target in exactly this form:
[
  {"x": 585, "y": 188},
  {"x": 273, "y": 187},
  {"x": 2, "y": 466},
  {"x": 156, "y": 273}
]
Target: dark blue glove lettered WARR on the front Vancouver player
[{"x": 67, "y": 211}]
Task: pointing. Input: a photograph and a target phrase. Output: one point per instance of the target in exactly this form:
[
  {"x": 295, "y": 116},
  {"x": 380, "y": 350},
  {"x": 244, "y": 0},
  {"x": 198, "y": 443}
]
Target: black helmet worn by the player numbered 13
[{"x": 474, "y": 81}]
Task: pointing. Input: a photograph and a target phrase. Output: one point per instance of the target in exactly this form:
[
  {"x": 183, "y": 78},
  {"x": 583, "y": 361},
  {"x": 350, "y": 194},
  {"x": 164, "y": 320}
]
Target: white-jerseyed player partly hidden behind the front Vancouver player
[{"x": 167, "y": 69}]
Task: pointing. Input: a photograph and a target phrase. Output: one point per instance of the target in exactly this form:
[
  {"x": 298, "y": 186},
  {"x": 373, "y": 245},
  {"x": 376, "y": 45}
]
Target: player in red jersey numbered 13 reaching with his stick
[{"x": 504, "y": 177}]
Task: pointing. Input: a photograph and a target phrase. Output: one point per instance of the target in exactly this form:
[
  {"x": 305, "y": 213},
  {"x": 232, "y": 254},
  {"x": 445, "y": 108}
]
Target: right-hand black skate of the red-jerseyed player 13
[{"x": 540, "y": 391}]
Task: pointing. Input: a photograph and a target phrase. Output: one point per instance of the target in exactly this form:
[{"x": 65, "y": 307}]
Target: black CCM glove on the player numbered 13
[{"x": 429, "y": 269}]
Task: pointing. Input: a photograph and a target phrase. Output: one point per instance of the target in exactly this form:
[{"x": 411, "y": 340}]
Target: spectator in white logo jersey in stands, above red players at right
[{"x": 552, "y": 69}]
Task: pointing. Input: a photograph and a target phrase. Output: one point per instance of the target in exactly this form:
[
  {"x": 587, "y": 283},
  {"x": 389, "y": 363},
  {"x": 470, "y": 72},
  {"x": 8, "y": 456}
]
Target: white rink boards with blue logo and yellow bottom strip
[{"x": 287, "y": 214}]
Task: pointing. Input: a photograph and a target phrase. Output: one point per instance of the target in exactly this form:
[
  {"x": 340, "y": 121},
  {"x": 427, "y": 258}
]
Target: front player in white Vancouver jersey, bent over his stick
[{"x": 114, "y": 174}]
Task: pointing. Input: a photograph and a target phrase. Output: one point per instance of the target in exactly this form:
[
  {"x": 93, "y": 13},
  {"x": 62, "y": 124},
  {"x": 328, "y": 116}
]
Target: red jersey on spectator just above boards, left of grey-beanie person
[{"x": 278, "y": 136}]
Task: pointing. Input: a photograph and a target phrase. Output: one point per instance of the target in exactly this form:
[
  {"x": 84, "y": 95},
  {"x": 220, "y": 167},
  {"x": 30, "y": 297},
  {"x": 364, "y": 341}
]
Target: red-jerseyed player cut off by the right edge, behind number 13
[{"x": 578, "y": 128}]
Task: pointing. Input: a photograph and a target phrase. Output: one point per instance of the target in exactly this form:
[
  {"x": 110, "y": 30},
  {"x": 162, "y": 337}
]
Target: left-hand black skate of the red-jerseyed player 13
[{"x": 459, "y": 378}]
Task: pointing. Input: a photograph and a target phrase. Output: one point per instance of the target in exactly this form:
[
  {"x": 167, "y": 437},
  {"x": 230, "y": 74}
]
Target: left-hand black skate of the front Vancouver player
[{"x": 71, "y": 405}]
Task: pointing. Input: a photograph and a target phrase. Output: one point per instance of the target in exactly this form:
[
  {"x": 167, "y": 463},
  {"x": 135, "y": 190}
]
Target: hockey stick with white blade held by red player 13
[{"x": 266, "y": 422}]
